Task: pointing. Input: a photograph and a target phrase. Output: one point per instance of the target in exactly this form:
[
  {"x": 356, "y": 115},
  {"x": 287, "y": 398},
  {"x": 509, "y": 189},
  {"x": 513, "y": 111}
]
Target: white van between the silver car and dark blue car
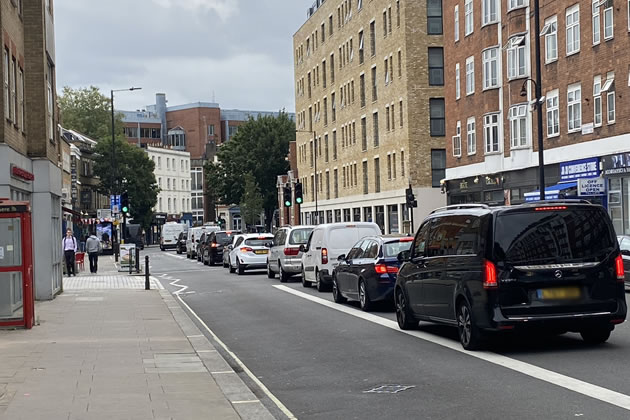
[{"x": 326, "y": 243}]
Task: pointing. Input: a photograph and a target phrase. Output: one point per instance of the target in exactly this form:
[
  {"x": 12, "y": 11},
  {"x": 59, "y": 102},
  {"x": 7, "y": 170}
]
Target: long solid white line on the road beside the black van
[{"x": 572, "y": 384}]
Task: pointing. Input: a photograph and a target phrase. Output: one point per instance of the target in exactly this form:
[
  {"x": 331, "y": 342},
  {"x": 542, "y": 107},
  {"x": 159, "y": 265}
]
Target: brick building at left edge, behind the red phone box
[{"x": 30, "y": 149}]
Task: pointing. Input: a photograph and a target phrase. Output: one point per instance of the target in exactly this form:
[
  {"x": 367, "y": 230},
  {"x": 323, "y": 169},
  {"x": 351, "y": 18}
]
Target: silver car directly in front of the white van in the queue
[{"x": 285, "y": 257}]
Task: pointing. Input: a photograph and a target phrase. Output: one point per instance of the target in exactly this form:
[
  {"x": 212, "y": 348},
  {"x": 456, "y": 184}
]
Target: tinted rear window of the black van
[{"x": 572, "y": 234}]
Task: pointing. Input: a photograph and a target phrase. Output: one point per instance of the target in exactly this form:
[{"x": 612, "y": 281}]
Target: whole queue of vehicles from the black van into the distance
[{"x": 555, "y": 266}]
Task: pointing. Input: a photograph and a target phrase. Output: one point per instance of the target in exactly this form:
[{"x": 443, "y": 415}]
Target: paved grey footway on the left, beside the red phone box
[{"x": 107, "y": 349}]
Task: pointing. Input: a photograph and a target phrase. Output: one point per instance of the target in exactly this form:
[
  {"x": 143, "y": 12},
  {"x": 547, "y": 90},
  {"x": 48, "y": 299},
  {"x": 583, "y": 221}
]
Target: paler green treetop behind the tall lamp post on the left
[{"x": 88, "y": 111}]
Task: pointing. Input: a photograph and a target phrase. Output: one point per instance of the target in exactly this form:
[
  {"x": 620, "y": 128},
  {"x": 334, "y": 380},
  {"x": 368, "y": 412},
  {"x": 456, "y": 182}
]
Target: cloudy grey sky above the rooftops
[{"x": 240, "y": 49}]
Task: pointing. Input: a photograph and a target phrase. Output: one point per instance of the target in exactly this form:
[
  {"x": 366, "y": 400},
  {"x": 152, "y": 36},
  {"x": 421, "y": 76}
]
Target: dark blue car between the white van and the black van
[{"x": 368, "y": 272}]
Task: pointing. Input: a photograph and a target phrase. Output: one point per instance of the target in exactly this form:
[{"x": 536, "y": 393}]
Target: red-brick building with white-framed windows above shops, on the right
[{"x": 490, "y": 103}]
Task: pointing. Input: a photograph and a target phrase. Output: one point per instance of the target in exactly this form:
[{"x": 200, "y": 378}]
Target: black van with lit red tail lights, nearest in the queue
[{"x": 553, "y": 265}]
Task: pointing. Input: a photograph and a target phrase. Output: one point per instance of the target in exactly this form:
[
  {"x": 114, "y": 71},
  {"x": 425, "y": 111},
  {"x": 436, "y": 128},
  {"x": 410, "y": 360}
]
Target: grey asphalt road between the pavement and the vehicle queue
[{"x": 319, "y": 359}]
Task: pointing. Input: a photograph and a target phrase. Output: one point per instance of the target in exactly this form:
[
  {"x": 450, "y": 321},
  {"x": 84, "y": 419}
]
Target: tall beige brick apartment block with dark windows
[{"x": 370, "y": 110}]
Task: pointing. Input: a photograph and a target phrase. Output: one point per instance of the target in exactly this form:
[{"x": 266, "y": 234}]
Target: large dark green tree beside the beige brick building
[{"x": 259, "y": 146}]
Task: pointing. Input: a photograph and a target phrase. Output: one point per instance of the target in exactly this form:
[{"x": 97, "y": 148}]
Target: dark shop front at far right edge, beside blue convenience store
[{"x": 616, "y": 172}]
